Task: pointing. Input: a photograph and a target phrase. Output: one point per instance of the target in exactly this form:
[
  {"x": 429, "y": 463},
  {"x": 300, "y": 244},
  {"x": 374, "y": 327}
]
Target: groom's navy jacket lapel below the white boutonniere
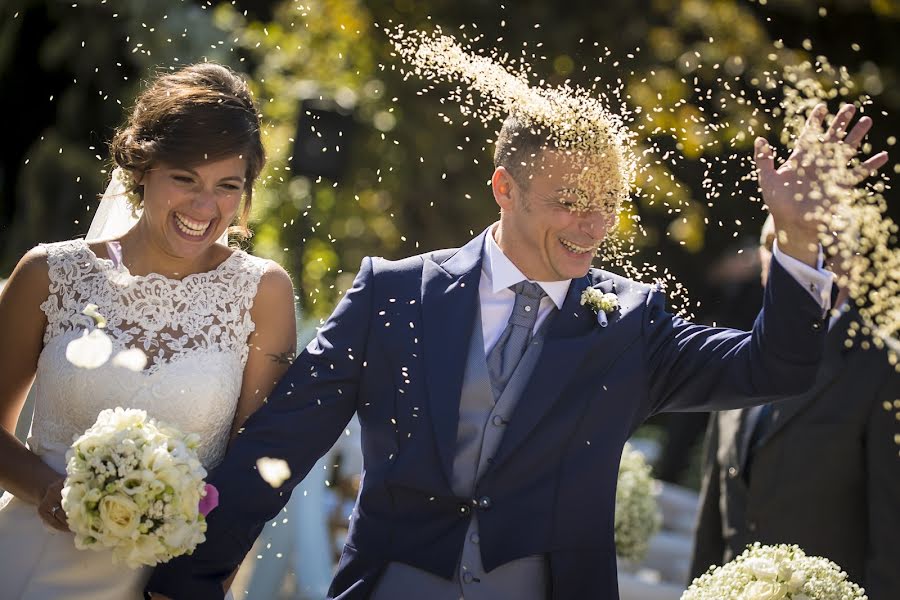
[{"x": 573, "y": 331}]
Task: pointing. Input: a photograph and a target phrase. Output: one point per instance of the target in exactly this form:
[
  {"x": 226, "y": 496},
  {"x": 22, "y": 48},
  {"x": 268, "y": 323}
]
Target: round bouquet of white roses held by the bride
[{"x": 135, "y": 486}]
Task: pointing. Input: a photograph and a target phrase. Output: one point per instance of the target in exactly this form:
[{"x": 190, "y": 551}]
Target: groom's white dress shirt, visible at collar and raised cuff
[{"x": 498, "y": 274}]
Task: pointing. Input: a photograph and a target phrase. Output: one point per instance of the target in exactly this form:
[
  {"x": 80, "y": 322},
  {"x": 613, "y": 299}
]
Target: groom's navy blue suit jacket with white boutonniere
[{"x": 394, "y": 351}]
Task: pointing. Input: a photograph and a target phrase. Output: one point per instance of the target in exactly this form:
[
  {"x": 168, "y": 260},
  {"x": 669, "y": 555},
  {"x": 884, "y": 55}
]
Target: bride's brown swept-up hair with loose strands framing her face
[{"x": 202, "y": 112}]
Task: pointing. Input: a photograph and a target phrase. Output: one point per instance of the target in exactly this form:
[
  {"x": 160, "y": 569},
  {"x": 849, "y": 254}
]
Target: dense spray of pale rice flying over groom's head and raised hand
[{"x": 855, "y": 230}]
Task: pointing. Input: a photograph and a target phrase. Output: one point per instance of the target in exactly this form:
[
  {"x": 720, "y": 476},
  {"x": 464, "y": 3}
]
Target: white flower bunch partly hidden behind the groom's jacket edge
[{"x": 637, "y": 513}]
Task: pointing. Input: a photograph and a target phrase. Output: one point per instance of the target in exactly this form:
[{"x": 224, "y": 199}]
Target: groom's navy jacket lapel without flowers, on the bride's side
[{"x": 449, "y": 305}]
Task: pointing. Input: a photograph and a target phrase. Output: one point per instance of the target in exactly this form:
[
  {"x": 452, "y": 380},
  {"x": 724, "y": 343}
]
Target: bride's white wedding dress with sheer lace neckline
[{"x": 194, "y": 332}]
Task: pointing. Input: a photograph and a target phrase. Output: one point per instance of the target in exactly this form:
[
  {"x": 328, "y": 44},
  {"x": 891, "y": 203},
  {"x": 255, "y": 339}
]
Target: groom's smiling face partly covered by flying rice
[{"x": 550, "y": 225}]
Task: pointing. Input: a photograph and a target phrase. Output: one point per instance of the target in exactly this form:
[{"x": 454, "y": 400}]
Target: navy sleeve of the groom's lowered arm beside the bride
[{"x": 299, "y": 423}]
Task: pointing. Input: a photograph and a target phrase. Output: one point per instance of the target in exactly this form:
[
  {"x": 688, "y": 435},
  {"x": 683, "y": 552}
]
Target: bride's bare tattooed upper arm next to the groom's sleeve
[{"x": 272, "y": 343}]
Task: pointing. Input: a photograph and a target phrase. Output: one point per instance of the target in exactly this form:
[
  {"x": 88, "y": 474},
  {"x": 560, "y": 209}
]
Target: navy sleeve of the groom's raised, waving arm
[{"x": 695, "y": 367}]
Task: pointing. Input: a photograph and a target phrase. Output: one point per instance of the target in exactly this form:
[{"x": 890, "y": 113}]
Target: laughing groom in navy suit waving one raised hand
[{"x": 494, "y": 405}]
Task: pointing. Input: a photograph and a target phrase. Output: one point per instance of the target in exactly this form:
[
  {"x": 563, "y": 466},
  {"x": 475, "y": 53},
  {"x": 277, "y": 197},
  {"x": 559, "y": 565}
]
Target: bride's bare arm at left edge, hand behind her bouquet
[{"x": 23, "y": 322}]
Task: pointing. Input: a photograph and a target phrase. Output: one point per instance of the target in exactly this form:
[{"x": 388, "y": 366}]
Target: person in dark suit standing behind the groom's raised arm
[{"x": 820, "y": 469}]
